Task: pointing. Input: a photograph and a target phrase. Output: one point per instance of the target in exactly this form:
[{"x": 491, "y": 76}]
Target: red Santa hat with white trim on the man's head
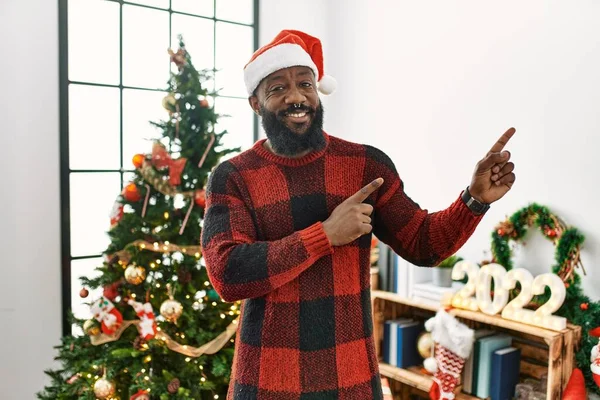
[{"x": 290, "y": 48}]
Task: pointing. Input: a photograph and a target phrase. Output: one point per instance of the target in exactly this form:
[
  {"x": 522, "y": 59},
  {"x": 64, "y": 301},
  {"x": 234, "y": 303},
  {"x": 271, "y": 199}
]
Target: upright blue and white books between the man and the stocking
[{"x": 400, "y": 342}]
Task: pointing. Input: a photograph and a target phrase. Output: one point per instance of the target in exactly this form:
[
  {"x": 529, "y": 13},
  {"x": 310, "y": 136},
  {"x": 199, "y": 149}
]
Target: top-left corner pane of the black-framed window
[{"x": 94, "y": 41}]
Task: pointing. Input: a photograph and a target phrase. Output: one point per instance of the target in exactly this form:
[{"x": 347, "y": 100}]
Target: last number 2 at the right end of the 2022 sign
[{"x": 543, "y": 315}]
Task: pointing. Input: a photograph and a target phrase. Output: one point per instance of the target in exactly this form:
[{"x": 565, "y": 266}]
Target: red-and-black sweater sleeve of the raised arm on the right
[{"x": 420, "y": 237}]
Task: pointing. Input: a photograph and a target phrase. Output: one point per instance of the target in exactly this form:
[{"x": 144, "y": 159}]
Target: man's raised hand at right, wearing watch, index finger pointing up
[{"x": 494, "y": 176}]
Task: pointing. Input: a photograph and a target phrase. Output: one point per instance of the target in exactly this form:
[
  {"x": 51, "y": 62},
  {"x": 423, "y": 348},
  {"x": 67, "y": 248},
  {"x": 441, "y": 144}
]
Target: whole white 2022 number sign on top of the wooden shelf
[{"x": 480, "y": 280}]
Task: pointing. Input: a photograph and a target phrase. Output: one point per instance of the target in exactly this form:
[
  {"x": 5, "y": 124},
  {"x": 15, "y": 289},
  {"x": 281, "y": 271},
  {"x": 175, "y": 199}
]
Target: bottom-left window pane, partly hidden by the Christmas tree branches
[{"x": 85, "y": 268}]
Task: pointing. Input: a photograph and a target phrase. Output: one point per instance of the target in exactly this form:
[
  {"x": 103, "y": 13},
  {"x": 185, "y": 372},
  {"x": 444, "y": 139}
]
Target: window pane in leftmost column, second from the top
[{"x": 93, "y": 127}]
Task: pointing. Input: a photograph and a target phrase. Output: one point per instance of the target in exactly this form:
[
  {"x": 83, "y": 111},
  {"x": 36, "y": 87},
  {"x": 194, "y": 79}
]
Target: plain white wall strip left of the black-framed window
[{"x": 30, "y": 305}]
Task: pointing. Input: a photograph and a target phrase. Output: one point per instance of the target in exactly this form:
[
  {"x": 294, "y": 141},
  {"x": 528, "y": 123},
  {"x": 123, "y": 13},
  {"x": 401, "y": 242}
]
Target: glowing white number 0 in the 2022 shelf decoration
[{"x": 484, "y": 288}]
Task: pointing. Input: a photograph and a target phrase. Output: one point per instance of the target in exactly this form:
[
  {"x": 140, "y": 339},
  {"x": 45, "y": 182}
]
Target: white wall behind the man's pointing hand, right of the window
[{"x": 435, "y": 84}]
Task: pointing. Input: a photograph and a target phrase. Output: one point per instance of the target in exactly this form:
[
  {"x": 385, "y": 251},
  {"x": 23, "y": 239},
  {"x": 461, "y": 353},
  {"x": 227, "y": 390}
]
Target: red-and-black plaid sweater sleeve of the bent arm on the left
[{"x": 239, "y": 266}]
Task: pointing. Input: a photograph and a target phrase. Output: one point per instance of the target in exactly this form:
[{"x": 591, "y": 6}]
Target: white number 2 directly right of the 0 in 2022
[{"x": 514, "y": 310}]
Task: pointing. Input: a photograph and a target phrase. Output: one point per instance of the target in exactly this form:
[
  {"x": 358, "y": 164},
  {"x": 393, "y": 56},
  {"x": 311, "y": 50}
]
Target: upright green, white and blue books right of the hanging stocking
[{"x": 492, "y": 370}]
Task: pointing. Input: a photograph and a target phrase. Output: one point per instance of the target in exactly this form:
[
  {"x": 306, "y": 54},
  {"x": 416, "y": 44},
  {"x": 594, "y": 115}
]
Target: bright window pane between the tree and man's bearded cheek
[{"x": 239, "y": 124}]
